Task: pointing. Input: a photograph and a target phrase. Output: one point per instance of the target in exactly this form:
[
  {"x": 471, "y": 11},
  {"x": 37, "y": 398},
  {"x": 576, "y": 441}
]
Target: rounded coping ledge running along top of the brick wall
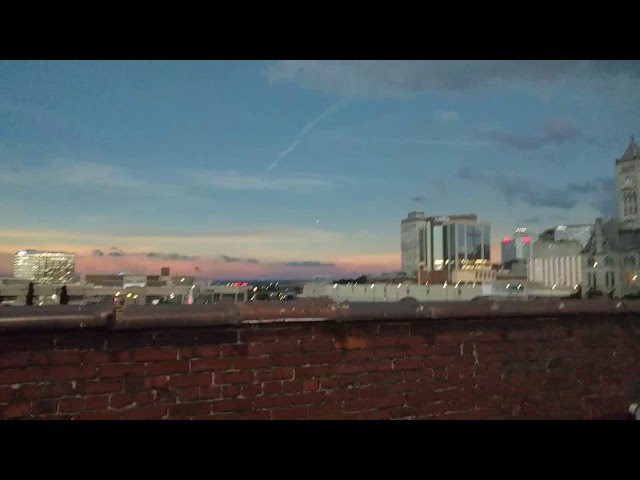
[{"x": 106, "y": 316}]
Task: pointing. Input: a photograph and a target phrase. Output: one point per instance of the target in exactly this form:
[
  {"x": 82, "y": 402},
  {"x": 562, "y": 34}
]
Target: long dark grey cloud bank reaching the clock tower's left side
[{"x": 598, "y": 193}]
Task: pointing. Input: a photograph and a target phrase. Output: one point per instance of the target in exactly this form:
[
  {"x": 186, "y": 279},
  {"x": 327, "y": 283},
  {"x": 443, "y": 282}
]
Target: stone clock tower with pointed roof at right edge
[{"x": 627, "y": 177}]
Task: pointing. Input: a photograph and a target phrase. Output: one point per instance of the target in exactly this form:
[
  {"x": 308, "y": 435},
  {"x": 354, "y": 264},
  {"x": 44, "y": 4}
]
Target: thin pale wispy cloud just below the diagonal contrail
[{"x": 290, "y": 183}]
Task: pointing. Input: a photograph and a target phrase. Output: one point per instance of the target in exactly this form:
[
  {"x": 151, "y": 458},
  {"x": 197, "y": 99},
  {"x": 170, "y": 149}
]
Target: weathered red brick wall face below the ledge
[{"x": 483, "y": 369}]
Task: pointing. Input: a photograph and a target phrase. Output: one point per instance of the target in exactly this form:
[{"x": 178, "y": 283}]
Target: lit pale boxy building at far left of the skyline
[{"x": 44, "y": 267}]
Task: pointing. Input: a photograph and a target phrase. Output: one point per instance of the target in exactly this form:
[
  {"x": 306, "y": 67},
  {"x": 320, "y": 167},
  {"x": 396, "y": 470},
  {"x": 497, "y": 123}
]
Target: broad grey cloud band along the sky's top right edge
[{"x": 407, "y": 77}]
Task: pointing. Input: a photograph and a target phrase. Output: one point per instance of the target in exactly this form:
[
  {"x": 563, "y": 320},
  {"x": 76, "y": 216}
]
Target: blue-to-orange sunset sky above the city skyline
[{"x": 291, "y": 168}]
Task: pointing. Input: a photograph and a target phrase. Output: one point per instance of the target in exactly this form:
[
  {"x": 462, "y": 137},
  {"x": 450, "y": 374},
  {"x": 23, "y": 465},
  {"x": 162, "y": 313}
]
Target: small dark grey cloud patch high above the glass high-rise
[{"x": 554, "y": 132}]
